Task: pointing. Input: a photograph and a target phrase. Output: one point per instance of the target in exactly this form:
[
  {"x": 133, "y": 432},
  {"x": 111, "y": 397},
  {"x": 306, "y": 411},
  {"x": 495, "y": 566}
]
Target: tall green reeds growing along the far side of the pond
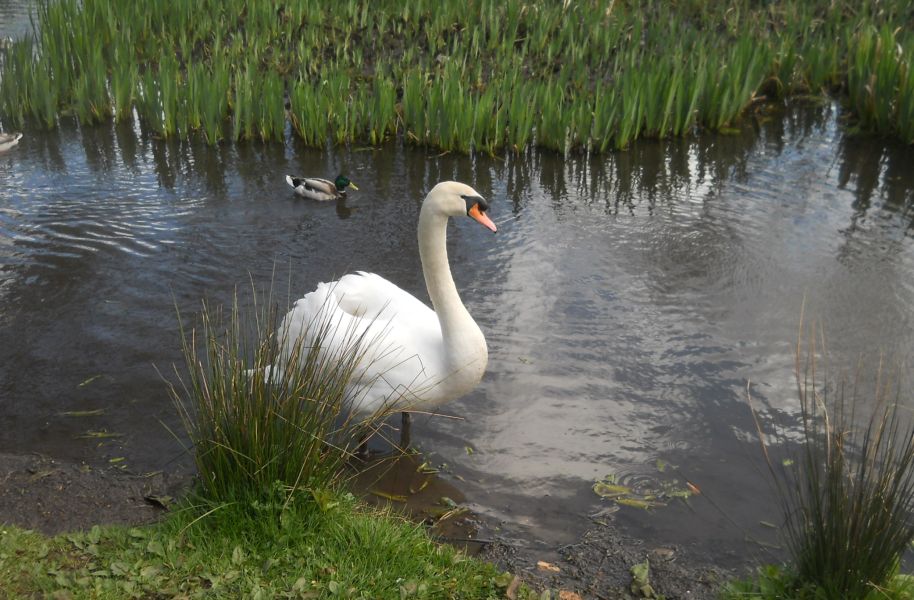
[{"x": 482, "y": 75}]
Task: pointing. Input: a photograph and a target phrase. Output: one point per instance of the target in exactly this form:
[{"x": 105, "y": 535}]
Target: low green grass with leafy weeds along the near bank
[{"x": 335, "y": 549}]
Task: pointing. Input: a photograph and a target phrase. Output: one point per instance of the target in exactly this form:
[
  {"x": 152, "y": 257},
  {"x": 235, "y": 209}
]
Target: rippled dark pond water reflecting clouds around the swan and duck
[{"x": 628, "y": 300}]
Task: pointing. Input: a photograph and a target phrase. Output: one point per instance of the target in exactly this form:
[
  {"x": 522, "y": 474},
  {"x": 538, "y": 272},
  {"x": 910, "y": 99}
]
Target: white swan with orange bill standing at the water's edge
[{"x": 418, "y": 358}]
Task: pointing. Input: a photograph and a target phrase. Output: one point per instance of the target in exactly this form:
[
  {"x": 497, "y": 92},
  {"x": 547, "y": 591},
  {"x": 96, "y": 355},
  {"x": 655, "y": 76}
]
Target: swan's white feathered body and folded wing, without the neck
[{"x": 402, "y": 335}]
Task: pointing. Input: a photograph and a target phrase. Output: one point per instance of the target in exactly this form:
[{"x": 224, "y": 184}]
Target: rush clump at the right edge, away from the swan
[{"x": 848, "y": 495}]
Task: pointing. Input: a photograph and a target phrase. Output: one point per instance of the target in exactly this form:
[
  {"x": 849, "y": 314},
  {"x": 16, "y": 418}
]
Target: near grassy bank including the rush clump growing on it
[{"x": 270, "y": 516}]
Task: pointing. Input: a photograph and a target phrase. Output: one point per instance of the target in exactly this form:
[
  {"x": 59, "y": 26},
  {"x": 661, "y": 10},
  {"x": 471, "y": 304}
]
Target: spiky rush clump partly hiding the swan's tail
[{"x": 259, "y": 417}]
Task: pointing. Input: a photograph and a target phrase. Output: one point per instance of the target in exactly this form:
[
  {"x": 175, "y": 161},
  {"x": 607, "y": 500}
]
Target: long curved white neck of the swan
[{"x": 463, "y": 340}]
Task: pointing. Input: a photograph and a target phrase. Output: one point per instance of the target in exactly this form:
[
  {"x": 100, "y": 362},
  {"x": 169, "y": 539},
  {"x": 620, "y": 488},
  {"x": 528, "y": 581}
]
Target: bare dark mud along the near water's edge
[{"x": 53, "y": 496}]
